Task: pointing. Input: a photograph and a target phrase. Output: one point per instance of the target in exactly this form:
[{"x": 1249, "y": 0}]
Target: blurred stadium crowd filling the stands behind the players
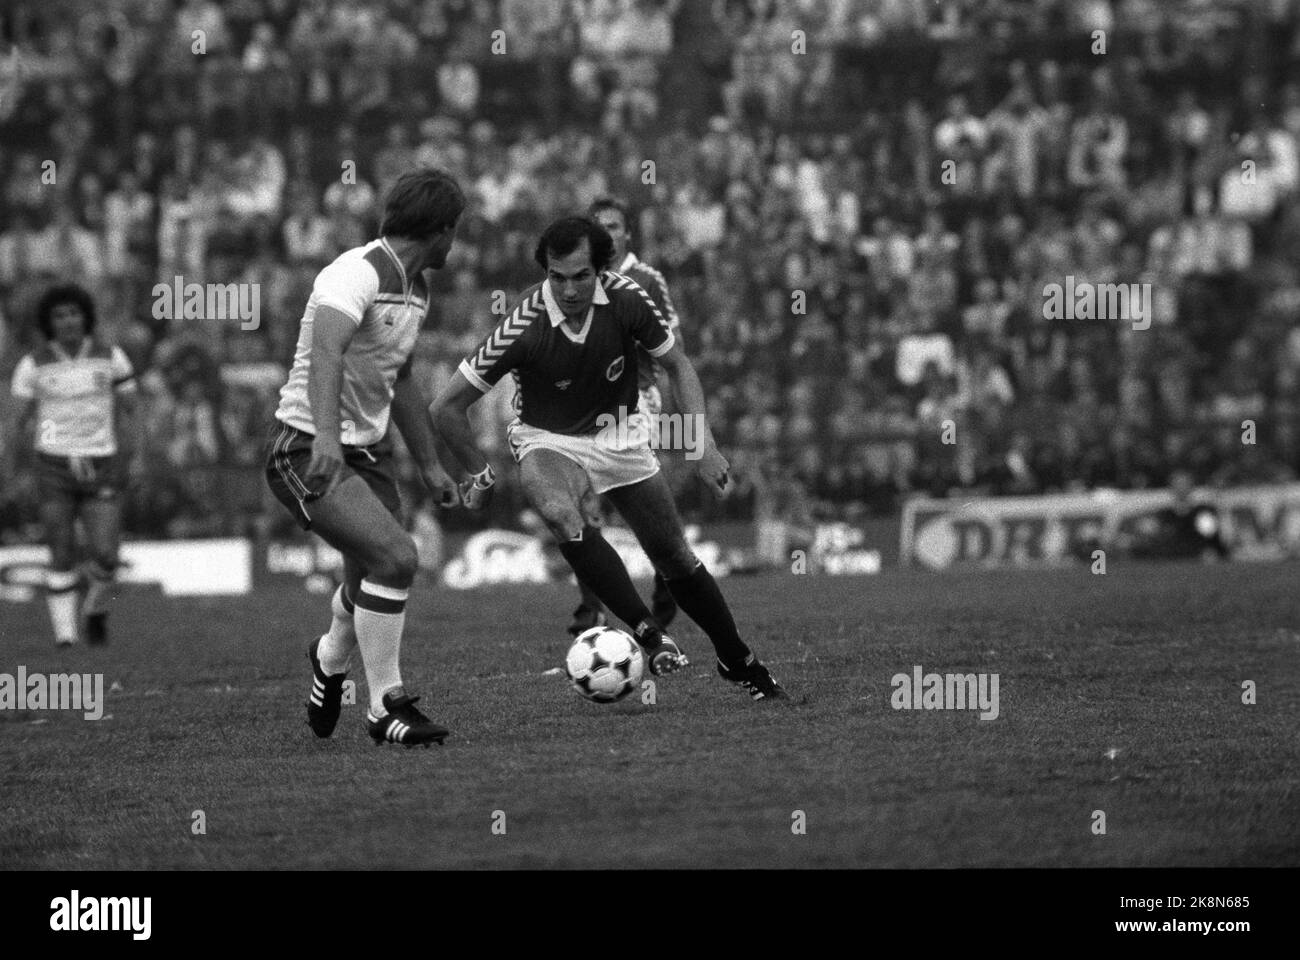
[{"x": 859, "y": 206}]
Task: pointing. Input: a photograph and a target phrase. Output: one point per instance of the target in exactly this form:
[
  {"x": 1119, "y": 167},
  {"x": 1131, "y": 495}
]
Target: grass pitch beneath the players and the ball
[{"x": 1121, "y": 694}]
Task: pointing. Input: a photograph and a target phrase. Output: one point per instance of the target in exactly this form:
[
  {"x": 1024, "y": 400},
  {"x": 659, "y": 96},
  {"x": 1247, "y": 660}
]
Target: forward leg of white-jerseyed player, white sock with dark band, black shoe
[{"x": 353, "y": 521}]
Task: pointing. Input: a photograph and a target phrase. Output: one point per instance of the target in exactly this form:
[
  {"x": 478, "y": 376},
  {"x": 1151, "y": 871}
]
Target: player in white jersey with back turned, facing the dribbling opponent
[{"x": 331, "y": 459}]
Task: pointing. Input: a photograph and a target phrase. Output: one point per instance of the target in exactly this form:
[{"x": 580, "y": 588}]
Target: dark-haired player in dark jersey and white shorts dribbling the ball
[{"x": 573, "y": 344}]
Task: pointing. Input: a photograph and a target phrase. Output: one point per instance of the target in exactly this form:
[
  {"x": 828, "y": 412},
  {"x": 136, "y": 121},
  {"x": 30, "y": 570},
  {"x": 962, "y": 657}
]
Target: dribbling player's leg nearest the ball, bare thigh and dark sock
[{"x": 556, "y": 486}]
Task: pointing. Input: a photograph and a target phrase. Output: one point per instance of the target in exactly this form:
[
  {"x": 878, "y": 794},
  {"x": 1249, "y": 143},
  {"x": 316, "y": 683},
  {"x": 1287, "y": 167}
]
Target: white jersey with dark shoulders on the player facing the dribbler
[{"x": 370, "y": 286}]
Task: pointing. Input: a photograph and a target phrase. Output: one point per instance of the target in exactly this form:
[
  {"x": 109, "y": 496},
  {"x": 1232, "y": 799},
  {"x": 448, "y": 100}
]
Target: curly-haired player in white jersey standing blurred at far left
[{"x": 80, "y": 404}]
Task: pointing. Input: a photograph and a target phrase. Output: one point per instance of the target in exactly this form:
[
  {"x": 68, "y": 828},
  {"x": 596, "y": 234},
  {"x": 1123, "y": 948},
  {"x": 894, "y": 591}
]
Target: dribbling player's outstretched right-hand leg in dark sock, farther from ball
[{"x": 649, "y": 511}]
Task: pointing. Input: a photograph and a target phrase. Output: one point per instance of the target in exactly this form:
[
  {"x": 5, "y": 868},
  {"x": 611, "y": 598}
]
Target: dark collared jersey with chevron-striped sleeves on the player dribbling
[{"x": 567, "y": 380}]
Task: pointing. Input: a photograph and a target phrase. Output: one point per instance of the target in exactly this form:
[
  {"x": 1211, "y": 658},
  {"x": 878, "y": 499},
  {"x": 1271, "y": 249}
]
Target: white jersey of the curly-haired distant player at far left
[{"x": 75, "y": 396}]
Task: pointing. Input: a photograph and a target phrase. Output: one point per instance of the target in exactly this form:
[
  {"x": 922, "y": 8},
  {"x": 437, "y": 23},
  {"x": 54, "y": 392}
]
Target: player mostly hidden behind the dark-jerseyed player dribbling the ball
[{"x": 614, "y": 218}]
